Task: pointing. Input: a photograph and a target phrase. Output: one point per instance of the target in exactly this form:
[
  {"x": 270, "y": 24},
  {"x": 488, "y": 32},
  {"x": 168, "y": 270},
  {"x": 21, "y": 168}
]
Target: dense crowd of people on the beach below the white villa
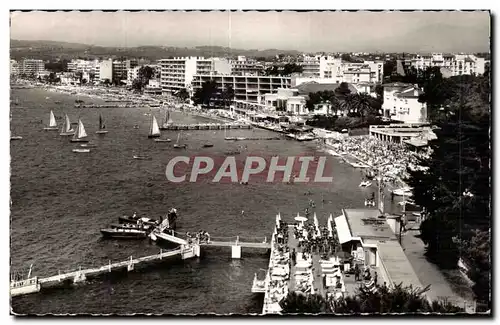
[{"x": 390, "y": 159}]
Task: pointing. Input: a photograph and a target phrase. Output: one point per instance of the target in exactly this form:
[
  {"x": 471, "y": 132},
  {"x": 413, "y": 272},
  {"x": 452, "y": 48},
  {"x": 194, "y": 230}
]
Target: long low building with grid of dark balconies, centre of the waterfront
[{"x": 246, "y": 88}]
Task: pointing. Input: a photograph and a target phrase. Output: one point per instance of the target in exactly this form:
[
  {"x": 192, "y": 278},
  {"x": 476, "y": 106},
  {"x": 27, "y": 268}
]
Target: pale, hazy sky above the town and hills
[{"x": 450, "y": 31}]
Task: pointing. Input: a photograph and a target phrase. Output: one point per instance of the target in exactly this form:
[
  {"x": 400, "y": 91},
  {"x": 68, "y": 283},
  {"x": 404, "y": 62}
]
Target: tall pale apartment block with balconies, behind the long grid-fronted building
[{"x": 177, "y": 73}]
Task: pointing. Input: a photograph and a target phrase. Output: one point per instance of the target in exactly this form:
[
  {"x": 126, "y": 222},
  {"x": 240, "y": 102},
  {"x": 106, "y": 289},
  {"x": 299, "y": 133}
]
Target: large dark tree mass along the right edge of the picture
[{"x": 455, "y": 190}]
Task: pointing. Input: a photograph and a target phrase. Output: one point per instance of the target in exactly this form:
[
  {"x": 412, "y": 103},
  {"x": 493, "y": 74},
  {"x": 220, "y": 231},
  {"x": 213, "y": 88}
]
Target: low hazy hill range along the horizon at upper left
[{"x": 50, "y": 50}]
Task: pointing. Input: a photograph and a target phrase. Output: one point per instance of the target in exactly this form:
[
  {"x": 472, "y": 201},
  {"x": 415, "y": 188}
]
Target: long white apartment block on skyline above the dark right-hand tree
[{"x": 456, "y": 64}]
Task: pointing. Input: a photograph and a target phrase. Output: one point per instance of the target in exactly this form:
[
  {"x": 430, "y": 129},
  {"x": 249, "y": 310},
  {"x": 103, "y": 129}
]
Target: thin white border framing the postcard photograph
[{"x": 185, "y": 4}]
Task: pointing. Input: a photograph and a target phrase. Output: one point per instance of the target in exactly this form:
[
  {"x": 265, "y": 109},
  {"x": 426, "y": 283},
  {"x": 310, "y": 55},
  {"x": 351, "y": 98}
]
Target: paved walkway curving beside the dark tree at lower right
[{"x": 427, "y": 272}]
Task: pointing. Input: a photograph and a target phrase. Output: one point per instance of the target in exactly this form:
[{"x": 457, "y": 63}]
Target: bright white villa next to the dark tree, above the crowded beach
[{"x": 401, "y": 103}]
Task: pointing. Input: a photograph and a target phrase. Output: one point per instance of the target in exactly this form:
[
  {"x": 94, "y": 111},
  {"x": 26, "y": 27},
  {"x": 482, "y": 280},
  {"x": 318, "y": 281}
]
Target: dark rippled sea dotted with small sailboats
[{"x": 60, "y": 200}]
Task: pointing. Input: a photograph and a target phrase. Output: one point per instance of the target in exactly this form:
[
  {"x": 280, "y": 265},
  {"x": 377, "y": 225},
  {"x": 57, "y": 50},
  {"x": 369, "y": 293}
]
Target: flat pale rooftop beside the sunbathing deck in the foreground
[{"x": 366, "y": 223}]
